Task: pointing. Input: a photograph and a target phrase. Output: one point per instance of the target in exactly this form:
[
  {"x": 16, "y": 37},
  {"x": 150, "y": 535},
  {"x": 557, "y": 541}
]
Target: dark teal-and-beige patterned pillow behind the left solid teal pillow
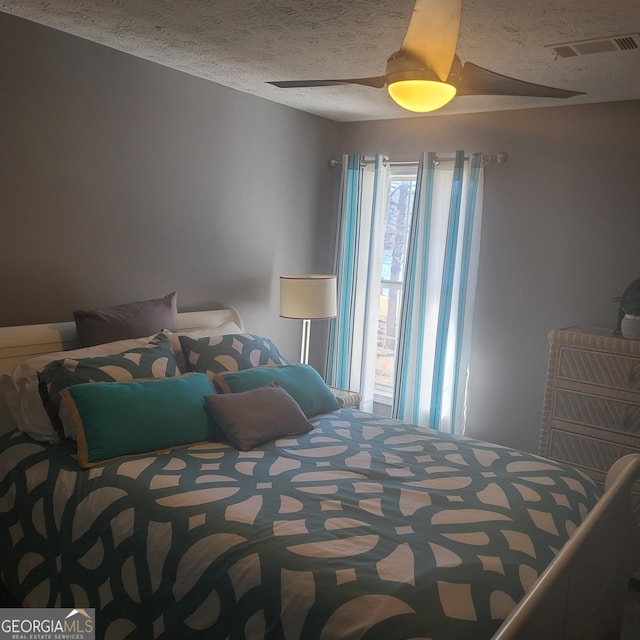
[{"x": 154, "y": 360}]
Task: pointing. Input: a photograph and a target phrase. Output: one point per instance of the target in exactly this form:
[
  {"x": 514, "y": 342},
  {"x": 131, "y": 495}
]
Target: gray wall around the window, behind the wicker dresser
[{"x": 560, "y": 237}]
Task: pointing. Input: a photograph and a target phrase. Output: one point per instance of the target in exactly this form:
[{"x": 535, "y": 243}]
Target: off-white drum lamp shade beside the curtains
[{"x": 308, "y": 296}]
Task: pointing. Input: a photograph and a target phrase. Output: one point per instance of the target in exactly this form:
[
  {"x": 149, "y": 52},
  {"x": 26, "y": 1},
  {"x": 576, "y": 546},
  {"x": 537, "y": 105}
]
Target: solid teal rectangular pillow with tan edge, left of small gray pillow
[{"x": 116, "y": 419}]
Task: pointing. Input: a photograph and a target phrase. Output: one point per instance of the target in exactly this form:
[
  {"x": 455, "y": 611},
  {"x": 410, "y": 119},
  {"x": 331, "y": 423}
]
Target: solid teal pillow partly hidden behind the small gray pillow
[{"x": 301, "y": 381}]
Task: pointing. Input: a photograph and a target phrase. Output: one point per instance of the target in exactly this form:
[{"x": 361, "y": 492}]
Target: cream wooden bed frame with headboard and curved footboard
[{"x": 581, "y": 594}]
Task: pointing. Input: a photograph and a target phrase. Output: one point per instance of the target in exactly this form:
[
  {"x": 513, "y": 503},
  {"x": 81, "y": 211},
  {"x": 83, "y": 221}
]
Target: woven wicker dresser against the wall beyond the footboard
[{"x": 591, "y": 411}]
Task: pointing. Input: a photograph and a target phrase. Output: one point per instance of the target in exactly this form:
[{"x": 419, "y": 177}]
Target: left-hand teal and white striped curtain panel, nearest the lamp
[{"x": 358, "y": 259}]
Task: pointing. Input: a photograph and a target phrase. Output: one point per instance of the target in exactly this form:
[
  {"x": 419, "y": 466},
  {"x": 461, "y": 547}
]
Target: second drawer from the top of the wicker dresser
[{"x": 596, "y": 411}]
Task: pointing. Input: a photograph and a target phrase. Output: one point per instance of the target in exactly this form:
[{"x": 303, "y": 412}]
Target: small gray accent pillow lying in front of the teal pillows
[{"x": 250, "y": 418}]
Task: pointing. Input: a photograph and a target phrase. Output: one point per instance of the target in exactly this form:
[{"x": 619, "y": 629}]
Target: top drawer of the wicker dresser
[{"x": 614, "y": 371}]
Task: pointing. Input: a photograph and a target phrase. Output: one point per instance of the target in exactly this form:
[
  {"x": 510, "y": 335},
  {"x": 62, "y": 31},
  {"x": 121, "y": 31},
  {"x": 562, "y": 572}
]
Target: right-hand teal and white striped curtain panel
[{"x": 434, "y": 341}]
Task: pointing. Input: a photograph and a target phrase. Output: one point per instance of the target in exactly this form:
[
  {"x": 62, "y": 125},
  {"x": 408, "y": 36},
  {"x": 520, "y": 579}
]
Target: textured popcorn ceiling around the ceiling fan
[{"x": 242, "y": 44}]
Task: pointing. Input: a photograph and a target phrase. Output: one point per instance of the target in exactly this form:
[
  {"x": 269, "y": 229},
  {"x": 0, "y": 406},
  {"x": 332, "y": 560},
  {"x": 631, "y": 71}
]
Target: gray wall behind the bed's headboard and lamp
[{"x": 121, "y": 180}]
